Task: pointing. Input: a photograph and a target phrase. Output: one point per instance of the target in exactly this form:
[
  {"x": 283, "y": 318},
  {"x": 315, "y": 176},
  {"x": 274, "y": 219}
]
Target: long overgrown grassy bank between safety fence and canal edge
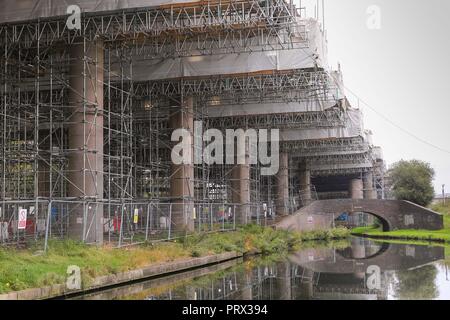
[{"x": 22, "y": 269}]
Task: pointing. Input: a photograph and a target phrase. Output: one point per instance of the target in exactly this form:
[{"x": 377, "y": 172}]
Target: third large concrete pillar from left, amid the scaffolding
[{"x": 240, "y": 185}]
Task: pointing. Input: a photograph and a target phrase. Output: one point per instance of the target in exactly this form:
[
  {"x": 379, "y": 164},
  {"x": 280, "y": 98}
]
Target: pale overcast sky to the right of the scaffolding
[{"x": 402, "y": 70}]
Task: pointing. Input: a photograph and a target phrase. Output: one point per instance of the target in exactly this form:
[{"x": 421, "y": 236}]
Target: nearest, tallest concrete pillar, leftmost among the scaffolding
[{"x": 85, "y": 168}]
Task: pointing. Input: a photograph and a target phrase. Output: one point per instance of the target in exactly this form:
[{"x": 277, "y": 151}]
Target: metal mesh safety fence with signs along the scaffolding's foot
[{"x": 36, "y": 222}]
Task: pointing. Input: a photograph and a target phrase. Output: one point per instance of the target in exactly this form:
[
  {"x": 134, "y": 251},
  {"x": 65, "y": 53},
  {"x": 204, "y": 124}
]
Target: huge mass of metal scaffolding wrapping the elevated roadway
[{"x": 86, "y": 118}]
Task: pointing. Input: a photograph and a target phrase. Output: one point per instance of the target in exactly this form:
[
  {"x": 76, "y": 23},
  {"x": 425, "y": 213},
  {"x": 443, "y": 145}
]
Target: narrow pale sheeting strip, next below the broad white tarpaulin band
[{"x": 268, "y": 108}]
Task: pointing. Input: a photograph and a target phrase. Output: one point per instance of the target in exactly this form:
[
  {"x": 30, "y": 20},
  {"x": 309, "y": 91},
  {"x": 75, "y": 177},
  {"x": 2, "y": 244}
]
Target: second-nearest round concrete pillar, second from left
[{"x": 182, "y": 175}]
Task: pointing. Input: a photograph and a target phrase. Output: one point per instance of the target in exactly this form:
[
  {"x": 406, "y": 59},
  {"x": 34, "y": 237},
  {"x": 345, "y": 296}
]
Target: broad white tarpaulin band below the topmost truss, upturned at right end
[{"x": 313, "y": 54}]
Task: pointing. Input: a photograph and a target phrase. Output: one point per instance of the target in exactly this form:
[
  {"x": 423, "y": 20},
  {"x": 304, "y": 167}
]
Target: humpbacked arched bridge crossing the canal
[{"x": 393, "y": 214}]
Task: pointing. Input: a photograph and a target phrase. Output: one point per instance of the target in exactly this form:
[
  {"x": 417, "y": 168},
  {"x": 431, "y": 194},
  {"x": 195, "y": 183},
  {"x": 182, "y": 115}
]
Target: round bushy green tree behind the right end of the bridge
[{"x": 412, "y": 181}]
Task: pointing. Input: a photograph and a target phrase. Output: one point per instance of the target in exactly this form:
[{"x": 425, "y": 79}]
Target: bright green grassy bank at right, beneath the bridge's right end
[{"x": 415, "y": 235}]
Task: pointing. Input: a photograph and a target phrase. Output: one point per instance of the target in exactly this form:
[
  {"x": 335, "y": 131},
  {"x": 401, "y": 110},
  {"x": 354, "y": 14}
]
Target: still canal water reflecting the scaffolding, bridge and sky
[{"x": 358, "y": 269}]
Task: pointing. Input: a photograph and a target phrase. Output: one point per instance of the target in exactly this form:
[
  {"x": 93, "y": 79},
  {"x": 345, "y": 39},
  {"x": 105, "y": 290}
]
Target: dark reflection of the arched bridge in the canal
[{"x": 388, "y": 258}]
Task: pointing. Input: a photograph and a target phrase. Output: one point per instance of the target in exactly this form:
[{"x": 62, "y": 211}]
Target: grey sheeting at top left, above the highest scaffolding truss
[{"x": 20, "y": 10}]
